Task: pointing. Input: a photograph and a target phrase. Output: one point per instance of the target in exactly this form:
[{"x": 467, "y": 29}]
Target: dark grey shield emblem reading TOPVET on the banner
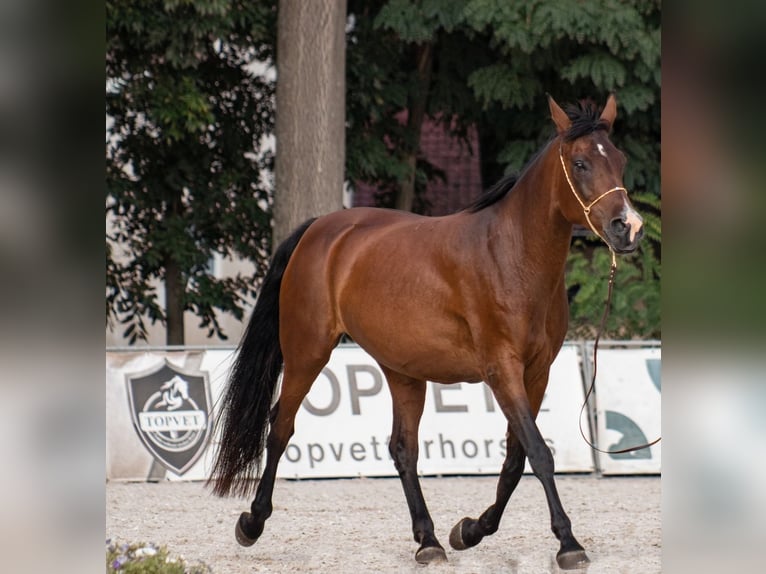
[{"x": 171, "y": 409}]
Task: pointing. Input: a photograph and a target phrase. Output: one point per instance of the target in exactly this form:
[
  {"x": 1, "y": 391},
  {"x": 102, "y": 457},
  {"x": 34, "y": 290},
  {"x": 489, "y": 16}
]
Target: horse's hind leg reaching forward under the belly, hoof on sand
[{"x": 408, "y": 397}]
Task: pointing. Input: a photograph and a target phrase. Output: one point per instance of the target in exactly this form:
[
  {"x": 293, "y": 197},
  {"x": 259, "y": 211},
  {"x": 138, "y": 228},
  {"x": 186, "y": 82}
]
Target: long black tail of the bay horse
[{"x": 244, "y": 414}]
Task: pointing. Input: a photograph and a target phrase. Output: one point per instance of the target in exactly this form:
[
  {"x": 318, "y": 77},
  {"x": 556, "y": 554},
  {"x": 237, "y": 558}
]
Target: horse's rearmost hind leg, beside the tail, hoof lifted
[{"x": 296, "y": 383}]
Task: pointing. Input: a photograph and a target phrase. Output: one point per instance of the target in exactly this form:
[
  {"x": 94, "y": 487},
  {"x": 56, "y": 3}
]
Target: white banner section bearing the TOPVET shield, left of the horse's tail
[{"x": 159, "y": 413}]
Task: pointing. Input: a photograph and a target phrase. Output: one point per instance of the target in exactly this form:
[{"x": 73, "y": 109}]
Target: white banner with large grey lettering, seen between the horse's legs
[{"x": 344, "y": 425}]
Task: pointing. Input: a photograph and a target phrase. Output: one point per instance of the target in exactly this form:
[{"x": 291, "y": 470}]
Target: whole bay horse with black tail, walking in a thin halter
[{"x": 478, "y": 295}]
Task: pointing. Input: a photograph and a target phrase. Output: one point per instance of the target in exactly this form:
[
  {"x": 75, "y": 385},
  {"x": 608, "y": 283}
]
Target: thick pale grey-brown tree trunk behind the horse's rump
[{"x": 310, "y": 112}]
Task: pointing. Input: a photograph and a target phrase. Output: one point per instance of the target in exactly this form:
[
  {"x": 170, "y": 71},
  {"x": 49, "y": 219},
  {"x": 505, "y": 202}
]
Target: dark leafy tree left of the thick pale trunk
[{"x": 186, "y": 118}]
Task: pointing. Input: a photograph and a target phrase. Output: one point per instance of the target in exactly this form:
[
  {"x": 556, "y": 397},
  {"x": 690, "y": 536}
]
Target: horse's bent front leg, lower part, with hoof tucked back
[{"x": 469, "y": 532}]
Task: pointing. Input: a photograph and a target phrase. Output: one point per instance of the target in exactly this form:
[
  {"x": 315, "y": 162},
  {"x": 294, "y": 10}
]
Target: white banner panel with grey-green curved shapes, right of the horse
[{"x": 628, "y": 409}]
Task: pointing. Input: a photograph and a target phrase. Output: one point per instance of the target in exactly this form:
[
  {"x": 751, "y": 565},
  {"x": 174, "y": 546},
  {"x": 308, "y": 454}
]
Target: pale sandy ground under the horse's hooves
[{"x": 362, "y": 525}]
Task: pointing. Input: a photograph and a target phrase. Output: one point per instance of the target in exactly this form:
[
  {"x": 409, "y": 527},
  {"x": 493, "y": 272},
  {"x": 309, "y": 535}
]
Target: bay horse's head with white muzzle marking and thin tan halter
[{"x": 592, "y": 166}]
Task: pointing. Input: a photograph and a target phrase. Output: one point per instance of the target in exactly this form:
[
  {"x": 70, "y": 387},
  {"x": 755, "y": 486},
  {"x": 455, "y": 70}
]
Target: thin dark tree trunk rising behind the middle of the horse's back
[{"x": 416, "y": 114}]
